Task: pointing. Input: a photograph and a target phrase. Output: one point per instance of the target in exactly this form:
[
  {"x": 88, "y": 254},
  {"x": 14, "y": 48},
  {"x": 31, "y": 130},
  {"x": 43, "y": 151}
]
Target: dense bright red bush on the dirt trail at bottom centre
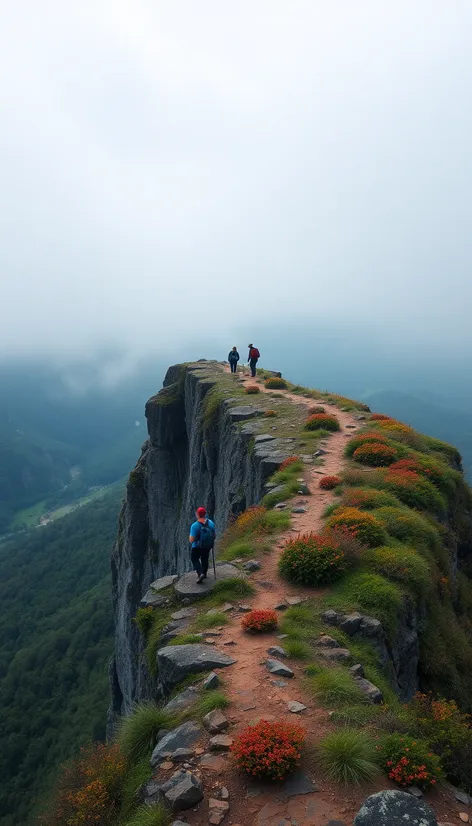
[{"x": 269, "y": 750}]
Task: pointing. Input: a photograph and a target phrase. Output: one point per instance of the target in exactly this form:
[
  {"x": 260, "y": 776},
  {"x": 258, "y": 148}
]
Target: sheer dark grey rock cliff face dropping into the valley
[{"x": 201, "y": 450}]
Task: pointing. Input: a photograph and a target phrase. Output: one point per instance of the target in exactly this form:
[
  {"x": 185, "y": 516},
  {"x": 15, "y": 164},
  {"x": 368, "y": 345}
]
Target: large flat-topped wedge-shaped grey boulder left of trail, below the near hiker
[{"x": 178, "y": 661}]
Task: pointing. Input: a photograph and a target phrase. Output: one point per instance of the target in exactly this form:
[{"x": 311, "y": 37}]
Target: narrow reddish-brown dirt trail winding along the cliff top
[{"x": 254, "y": 693}]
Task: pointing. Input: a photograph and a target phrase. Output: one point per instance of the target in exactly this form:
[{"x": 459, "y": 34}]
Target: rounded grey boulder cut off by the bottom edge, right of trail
[{"x": 394, "y": 808}]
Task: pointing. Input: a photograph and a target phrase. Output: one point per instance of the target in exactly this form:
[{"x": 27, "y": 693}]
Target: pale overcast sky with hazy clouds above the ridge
[{"x": 171, "y": 167}]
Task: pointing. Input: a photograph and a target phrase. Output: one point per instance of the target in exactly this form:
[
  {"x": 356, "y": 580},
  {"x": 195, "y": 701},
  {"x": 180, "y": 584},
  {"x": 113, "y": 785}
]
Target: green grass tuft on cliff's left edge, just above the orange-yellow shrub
[{"x": 137, "y": 734}]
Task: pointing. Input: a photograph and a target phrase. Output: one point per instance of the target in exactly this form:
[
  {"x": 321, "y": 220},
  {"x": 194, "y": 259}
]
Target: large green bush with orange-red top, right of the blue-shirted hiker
[{"x": 312, "y": 559}]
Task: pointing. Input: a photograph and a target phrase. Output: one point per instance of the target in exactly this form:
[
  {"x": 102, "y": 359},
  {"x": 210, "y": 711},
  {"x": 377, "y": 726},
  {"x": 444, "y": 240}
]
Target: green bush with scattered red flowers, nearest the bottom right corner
[{"x": 409, "y": 762}]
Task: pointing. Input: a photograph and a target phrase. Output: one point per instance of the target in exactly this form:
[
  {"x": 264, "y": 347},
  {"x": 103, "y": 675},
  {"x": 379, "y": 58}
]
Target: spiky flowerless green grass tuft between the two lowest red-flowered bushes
[{"x": 348, "y": 756}]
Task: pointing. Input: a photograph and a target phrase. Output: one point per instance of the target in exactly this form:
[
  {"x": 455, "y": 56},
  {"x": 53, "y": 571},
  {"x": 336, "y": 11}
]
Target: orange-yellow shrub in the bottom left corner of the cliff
[{"x": 89, "y": 790}]
